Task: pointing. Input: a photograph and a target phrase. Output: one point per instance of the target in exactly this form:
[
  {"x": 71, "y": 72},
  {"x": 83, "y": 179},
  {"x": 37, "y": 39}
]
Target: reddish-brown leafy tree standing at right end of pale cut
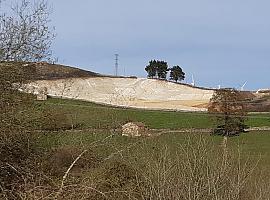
[{"x": 228, "y": 108}]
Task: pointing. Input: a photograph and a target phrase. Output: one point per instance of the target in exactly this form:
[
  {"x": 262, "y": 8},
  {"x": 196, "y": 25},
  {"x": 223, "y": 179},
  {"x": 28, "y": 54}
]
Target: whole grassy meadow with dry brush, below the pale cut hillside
[{"x": 91, "y": 160}]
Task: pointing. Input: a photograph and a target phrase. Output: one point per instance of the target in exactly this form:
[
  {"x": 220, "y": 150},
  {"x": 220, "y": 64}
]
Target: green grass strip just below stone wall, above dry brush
[{"x": 253, "y": 143}]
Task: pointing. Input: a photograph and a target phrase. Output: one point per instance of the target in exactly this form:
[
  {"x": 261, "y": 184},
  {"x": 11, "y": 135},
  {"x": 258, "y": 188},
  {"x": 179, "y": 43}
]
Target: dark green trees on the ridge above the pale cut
[{"x": 159, "y": 69}]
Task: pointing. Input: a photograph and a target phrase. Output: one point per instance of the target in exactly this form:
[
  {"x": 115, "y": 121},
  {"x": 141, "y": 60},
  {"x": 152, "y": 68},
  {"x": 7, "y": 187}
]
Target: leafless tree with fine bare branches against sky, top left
[{"x": 25, "y": 32}]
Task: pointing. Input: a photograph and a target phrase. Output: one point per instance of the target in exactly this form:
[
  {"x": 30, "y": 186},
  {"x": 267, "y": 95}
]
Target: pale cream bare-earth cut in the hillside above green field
[{"x": 128, "y": 92}]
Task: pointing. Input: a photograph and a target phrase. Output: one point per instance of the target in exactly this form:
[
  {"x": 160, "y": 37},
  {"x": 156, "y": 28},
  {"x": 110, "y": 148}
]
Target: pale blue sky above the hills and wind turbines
[{"x": 220, "y": 42}]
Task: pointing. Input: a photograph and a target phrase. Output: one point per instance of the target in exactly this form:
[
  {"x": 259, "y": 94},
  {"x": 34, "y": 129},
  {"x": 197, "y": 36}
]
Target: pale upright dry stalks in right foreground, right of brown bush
[{"x": 201, "y": 171}]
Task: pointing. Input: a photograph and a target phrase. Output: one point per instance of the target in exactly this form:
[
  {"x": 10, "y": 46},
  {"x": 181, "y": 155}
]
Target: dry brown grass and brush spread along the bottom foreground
[{"x": 198, "y": 169}]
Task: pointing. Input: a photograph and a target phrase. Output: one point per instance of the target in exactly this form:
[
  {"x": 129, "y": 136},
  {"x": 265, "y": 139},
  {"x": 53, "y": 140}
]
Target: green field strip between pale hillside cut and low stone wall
[{"x": 91, "y": 115}]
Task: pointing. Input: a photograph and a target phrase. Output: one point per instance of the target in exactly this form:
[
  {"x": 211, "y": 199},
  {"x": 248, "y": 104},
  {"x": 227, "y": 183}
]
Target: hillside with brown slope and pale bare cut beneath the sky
[{"x": 70, "y": 82}]
